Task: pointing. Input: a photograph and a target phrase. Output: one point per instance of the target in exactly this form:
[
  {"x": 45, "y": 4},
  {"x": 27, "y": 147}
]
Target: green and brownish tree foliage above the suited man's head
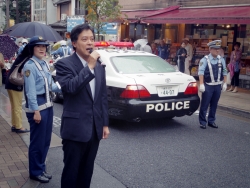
[{"x": 102, "y": 11}]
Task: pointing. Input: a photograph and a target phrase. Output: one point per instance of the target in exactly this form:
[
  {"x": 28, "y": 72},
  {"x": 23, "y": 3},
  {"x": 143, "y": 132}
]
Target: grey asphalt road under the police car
[{"x": 162, "y": 154}]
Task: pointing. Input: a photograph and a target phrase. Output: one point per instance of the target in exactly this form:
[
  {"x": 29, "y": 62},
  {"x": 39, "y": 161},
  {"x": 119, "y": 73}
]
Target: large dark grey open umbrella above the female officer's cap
[{"x": 30, "y": 29}]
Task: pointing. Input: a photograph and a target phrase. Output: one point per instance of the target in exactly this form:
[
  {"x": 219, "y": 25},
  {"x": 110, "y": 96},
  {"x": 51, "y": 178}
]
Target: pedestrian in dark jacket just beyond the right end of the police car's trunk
[{"x": 181, "y": 55}]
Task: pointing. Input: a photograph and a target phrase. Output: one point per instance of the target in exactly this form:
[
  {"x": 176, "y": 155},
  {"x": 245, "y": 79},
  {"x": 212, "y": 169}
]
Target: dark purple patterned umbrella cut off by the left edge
[{"x": 7, "y": 46}]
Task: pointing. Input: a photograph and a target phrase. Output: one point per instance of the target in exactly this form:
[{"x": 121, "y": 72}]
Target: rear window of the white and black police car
[{"x": 141, "y": 64}]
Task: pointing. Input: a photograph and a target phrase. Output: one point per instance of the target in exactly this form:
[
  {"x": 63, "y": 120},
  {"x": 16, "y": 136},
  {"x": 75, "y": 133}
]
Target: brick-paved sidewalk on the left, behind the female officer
[{"x": 14, "y": 150}]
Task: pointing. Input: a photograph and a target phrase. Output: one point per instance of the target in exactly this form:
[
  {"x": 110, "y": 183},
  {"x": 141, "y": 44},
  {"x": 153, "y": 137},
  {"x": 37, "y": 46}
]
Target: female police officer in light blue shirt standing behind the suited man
[{"x": 37, "y": 85}]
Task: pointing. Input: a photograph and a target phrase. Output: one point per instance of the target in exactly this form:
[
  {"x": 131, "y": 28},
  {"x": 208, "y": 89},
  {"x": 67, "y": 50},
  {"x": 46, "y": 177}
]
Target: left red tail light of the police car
[{"x": 135, "y": 92}]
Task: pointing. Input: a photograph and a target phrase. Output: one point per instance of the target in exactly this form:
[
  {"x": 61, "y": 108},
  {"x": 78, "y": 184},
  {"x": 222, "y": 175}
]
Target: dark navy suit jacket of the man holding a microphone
[{"x": 79, "y": 107}]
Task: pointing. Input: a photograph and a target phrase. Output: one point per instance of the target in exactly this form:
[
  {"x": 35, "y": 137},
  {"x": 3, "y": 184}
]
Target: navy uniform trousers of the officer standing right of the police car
[{"x": 210, "y": 97}]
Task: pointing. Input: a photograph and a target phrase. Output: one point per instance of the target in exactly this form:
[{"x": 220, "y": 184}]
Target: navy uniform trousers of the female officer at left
[{"x": 40, "y": 137}]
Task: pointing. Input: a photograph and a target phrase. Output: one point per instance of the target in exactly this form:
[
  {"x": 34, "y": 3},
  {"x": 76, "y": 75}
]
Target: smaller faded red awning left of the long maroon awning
[{"x": 135, "y": 15}]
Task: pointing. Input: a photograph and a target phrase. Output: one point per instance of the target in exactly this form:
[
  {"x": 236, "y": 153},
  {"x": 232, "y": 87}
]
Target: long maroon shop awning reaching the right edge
[{"x": 220, "y": 15}]
